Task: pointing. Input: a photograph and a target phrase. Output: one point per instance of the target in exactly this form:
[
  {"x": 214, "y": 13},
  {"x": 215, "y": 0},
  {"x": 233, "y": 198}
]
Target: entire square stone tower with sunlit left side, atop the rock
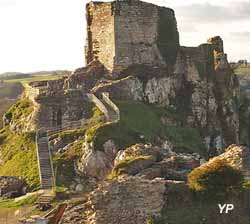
[{"x": 123, "y": 33}]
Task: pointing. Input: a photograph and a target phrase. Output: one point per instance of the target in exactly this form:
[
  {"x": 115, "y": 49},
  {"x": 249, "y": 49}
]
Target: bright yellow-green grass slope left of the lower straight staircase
[{"x": 19, "y": 155}]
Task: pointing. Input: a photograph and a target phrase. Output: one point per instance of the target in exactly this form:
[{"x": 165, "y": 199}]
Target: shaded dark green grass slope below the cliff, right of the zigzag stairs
[{"x": 138, "y": 119}]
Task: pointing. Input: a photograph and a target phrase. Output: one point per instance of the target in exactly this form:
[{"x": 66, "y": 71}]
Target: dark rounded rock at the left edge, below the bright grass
[{"x": 12, "y": 187}]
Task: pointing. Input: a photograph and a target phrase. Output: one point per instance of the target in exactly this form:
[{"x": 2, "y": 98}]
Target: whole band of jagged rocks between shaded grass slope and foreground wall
[{"x": 141, "y": 160}]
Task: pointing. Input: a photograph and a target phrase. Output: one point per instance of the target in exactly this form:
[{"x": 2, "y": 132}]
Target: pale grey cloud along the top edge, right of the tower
[{"x": 211, "y": 13}]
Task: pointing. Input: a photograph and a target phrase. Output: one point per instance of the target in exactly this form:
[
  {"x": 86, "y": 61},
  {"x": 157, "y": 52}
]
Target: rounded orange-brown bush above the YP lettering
[{"x": 216, "y": 178}]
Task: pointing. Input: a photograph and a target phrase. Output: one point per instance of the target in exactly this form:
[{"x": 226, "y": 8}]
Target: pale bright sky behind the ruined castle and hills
[{"x": 40, "y": 35}]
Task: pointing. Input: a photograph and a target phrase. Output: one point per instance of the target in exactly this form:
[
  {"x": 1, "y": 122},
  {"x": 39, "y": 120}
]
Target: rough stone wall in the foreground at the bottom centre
[{"x": 127, "y": 201}]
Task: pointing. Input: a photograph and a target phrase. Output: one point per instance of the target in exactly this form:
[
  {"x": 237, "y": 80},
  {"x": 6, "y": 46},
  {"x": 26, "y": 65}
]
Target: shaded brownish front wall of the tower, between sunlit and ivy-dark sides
[{"x": 136, "y": 29}]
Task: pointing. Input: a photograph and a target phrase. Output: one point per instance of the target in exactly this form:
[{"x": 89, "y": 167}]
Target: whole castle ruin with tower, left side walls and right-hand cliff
[{"x": 133, "y": 53}]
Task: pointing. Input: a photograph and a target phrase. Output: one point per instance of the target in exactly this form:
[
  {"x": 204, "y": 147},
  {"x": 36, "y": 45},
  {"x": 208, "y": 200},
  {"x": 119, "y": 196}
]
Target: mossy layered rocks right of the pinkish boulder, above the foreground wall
[{"x": 152, "y": 162}]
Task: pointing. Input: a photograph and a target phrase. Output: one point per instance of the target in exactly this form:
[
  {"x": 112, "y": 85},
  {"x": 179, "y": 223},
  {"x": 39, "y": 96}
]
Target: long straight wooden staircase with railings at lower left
[{"x": 46, "y": 171}]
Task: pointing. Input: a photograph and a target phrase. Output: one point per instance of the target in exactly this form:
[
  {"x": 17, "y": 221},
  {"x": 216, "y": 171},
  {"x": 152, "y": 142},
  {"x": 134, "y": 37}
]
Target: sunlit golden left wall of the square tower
[{"x": 100, "y": 42}]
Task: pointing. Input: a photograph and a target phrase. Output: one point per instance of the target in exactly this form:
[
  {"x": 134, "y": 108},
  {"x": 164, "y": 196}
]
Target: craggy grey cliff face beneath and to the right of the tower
[{"x": 204, "y": 91}]
